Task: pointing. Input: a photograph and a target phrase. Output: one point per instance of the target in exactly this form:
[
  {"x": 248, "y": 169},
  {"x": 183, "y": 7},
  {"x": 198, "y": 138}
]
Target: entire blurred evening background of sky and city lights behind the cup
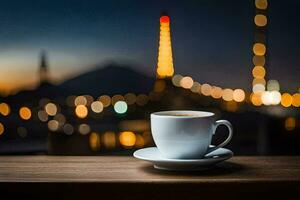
[{"x": 82, "y": 77}]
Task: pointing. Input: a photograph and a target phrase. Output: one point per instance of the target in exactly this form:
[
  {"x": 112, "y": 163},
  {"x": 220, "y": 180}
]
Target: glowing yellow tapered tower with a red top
[{"x": 165, "y": 60}]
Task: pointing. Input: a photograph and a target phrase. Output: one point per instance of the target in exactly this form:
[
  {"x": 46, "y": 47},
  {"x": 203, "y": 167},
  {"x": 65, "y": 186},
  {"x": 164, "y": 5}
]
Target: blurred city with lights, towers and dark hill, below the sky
[{"x": 107, "y": 110}]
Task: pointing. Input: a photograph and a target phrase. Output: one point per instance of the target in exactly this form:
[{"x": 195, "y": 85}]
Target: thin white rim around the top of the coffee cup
[{"x": 197, "y": 114}]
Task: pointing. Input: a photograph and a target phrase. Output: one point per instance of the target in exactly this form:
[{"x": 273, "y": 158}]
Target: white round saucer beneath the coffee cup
[{"x": 152, "y": 155}]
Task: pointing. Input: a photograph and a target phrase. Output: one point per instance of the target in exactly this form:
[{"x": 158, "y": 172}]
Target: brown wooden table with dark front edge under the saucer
[{"x": 115, "y": 177}]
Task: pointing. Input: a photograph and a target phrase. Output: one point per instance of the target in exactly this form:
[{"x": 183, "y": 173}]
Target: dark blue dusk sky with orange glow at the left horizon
[{"x": 212, "y": 39}]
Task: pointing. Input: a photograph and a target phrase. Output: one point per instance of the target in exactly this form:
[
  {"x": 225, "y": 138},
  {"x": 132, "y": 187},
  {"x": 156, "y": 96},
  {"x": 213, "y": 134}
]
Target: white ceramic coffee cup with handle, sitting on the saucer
[{"x": 185, "y": 134}]
